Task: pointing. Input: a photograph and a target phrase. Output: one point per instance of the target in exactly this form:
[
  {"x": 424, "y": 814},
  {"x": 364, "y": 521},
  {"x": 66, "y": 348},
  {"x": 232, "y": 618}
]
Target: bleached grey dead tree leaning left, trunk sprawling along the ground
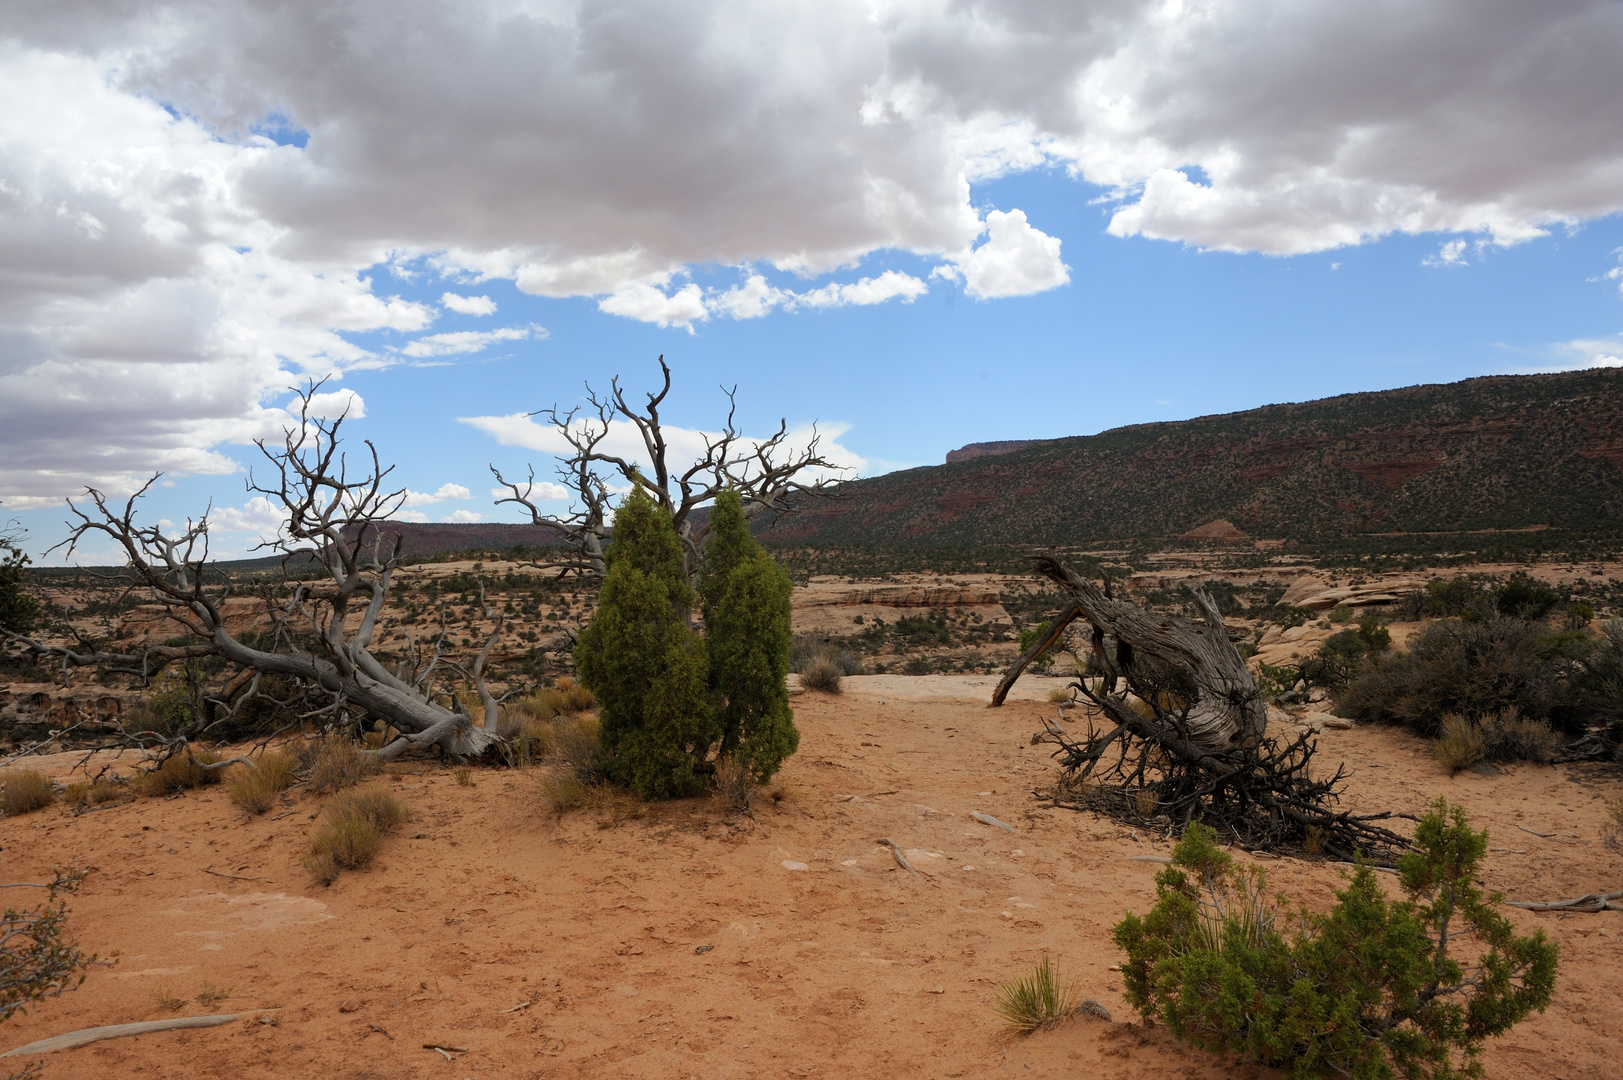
[{"x": 324, "y": 629}]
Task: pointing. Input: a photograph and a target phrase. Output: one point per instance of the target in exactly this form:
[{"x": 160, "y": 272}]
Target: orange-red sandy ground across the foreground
[{"x": 686, "y": 943}]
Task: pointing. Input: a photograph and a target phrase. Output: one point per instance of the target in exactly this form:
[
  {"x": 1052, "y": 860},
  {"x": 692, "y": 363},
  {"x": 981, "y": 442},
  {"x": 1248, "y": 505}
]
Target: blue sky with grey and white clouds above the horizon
[{"x": 911, "y": 223}]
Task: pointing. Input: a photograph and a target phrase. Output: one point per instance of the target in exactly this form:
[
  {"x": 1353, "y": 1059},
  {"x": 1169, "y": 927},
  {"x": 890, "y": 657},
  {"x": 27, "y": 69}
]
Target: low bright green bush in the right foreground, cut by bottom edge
[{"x": 1369, "y": 990}]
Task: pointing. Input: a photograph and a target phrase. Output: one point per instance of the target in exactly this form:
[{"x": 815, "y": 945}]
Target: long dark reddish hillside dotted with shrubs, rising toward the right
[{"x": 1486, "y": 454}]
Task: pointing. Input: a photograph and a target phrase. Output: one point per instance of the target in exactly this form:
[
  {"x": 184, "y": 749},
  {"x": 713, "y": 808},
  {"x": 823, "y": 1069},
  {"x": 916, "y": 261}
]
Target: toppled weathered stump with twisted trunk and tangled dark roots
[{"x": 1186, "y": 735}]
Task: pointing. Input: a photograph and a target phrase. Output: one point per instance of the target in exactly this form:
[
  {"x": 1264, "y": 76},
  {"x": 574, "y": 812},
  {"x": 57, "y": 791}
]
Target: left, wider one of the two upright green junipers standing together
[{"x": 642, "y": 662}]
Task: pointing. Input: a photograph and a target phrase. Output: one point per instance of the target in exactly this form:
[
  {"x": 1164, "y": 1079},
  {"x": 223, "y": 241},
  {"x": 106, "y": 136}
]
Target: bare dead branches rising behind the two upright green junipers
[{"x": 768, "y": 475}]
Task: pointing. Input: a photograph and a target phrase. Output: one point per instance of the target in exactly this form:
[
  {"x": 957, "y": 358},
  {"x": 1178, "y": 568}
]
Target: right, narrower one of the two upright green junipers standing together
[{"x": 747, "y": 605}]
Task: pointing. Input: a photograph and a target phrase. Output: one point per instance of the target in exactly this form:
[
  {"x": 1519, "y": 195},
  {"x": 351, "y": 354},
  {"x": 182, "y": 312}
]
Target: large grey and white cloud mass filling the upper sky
[{"x": 200, "y": 201}]
